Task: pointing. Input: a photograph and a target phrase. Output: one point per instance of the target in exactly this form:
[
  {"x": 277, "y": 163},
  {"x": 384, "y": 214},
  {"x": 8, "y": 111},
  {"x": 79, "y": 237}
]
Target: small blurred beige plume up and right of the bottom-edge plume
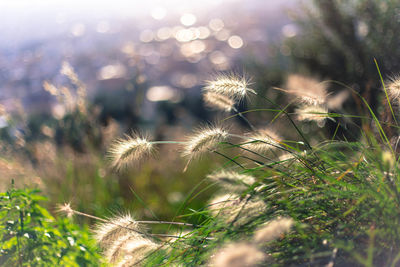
[{"x": 273, "y": 230}]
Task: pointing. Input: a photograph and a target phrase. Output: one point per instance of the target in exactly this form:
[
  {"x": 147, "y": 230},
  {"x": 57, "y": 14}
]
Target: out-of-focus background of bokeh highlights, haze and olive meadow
[{"x": 74, "y": 75}]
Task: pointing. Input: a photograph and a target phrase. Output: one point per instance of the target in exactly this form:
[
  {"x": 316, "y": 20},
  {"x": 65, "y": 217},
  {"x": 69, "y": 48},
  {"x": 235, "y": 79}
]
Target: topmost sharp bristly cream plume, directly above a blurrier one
[{"x": 229, "y": 85}]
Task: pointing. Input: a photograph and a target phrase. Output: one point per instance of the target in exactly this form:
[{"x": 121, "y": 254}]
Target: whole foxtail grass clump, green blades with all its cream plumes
[{"x": 311, "y": 201}]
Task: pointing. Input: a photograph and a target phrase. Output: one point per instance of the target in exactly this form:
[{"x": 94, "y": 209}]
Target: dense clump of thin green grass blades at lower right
[{"x": 342, "y": 196}]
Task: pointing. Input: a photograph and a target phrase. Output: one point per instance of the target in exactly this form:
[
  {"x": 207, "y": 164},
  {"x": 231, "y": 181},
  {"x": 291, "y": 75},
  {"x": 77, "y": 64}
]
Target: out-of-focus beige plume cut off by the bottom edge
[{"x": 237, "y": 255}]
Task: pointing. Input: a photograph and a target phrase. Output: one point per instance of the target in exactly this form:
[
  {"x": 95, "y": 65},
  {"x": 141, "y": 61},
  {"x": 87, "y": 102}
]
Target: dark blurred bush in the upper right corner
[{"x": 339, "y": 39}]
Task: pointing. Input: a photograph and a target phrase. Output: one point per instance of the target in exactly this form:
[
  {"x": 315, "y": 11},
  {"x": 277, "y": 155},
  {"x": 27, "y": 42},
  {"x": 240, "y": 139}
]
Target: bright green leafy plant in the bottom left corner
[{"x": 31, "y": 236}]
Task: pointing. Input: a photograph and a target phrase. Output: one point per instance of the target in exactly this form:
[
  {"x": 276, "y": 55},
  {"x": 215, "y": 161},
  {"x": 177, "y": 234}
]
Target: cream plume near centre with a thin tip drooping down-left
[{"x": 202, "y": 141}]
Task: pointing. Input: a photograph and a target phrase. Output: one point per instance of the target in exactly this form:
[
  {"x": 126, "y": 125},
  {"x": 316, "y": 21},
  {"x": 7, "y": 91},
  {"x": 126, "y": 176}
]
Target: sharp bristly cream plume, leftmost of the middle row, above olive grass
[{"x": 129, "y": 150}]
